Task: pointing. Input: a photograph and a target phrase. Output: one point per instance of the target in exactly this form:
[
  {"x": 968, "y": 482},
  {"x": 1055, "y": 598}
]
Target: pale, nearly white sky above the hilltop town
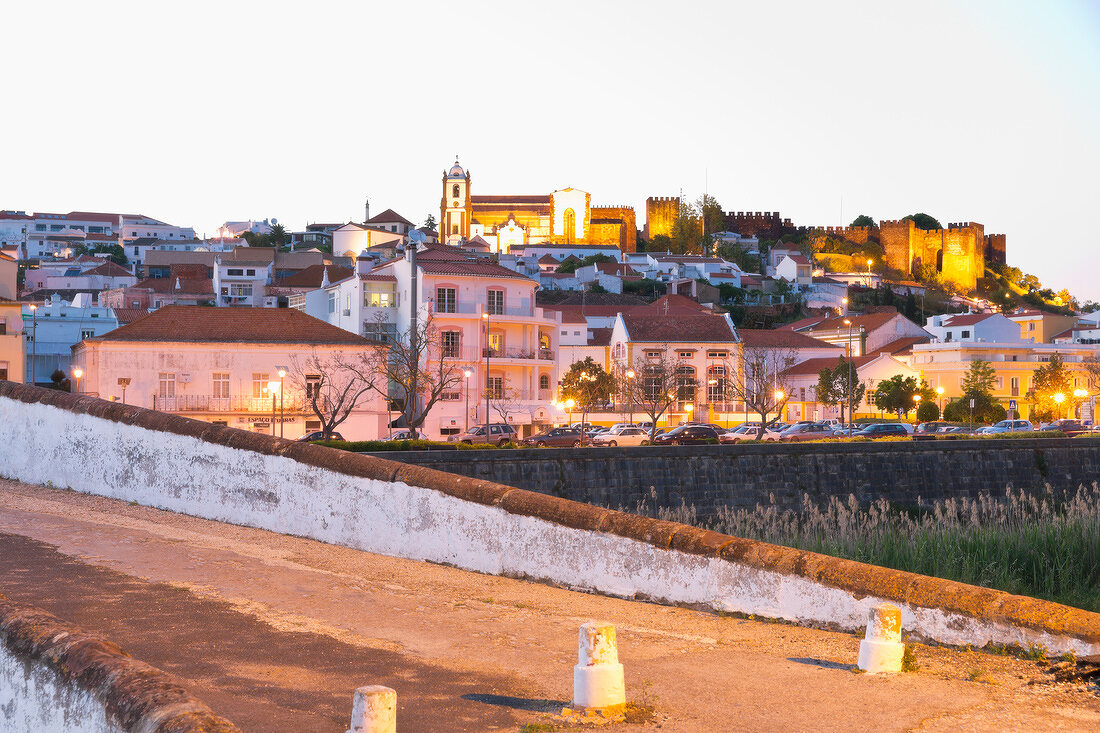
[{"x": 202, "y": 113}]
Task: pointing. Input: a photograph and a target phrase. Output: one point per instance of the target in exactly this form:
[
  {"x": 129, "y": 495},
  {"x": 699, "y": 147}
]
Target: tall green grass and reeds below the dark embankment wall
[{"x": 1042, "y": 545}]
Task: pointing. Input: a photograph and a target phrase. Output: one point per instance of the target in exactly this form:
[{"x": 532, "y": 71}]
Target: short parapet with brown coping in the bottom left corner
[{"x": 56, "y": 677}]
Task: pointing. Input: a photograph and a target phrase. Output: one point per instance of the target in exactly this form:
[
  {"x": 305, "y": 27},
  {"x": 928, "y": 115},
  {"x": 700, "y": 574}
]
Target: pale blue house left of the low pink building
[{"x": 54, "y": 327}]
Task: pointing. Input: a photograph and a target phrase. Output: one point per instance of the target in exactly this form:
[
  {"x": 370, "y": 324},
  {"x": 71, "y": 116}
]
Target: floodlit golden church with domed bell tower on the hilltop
[{"x": 563, "y": 217}]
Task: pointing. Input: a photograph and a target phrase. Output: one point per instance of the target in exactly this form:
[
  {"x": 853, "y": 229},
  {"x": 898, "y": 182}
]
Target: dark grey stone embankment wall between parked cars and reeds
[{"x": 710, "y": 478}]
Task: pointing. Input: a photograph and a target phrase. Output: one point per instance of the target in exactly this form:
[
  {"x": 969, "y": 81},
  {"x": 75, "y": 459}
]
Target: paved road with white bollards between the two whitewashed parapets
[{"x": 274, "y": 632}]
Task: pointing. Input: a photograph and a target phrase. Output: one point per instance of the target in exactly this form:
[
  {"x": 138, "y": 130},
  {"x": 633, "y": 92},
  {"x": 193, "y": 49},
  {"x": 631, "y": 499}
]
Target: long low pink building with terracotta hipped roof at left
[{"x": 223, "y": 366}]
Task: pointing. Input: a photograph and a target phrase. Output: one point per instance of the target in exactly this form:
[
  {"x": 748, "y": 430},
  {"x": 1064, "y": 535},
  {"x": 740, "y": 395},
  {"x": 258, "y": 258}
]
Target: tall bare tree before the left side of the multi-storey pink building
[{"x": 419, "y": 373}]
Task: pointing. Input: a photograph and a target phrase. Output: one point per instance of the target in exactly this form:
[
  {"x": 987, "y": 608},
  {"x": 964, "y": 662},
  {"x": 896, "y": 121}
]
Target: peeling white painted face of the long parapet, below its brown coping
[{"x": 174, "y": 473}]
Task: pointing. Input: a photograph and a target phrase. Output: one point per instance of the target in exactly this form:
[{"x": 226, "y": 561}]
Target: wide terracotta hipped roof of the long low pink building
[{"x": 203, "y": 325}]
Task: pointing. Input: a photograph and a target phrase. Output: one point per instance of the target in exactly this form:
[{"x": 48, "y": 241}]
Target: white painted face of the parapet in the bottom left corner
[{"x": 34, "y": 697}]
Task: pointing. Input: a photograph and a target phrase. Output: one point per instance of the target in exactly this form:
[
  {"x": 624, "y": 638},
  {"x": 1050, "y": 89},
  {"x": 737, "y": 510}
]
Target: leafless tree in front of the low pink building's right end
[{"x": 334, "y": 386}]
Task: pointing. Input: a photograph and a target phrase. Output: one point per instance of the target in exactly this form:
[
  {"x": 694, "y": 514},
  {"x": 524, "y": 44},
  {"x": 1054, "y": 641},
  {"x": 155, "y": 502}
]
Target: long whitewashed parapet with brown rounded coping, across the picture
[{"x": 394, "y": 509}]
